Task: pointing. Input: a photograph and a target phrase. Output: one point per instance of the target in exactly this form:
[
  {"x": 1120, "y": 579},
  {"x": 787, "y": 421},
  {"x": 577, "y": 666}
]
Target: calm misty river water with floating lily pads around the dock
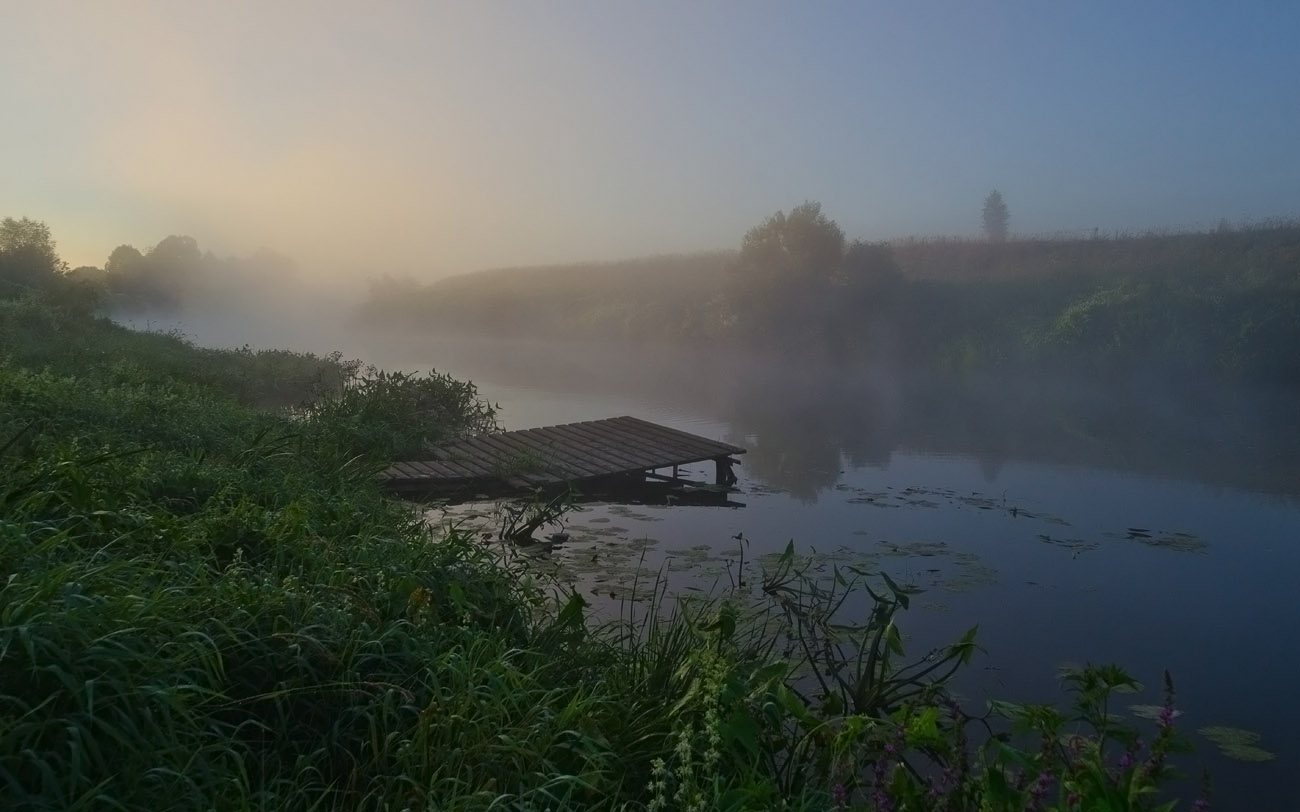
[{"x": 1182, "y": 555}]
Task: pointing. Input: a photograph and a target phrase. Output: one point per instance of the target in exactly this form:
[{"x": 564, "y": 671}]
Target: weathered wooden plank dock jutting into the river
[{"x": 597, "y": 451}]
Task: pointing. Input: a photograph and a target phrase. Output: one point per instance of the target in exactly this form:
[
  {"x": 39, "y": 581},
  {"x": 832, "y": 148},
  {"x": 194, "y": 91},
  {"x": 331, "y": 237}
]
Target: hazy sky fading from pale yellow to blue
[{"x": 432, "y": 138}]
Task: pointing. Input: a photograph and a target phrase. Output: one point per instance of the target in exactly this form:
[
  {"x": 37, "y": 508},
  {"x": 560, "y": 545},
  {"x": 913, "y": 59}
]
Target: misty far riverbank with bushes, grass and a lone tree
[{"x": 1216, "y": 306}]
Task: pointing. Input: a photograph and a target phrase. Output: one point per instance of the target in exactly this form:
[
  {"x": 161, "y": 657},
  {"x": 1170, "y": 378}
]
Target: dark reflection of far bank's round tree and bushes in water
[{"x": 1232, "y": 438}]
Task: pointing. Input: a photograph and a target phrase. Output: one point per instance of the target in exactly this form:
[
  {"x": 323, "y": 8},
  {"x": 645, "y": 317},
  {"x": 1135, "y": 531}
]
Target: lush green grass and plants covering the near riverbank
[{"x": 206, "y": 602}]
